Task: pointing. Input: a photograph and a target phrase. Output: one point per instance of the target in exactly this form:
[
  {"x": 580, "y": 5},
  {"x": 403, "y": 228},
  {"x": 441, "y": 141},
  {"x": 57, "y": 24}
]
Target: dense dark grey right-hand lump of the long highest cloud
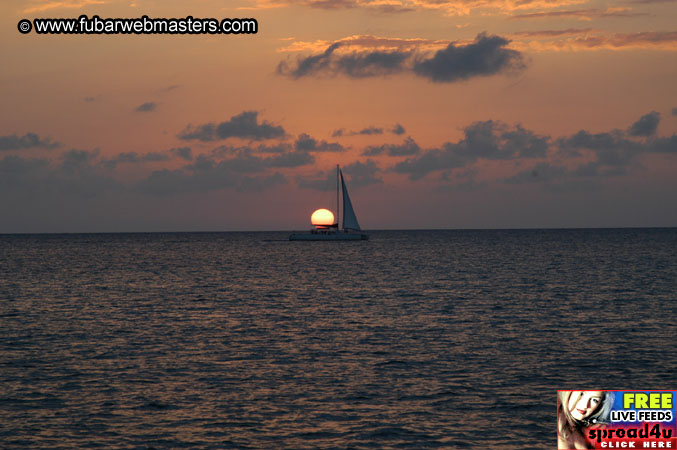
[{"x": 488, "y": 55}]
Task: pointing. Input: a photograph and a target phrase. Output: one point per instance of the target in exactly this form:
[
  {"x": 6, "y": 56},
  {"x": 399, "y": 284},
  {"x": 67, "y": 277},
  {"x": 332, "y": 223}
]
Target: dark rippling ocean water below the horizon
[{"x": 414, "y": 340}]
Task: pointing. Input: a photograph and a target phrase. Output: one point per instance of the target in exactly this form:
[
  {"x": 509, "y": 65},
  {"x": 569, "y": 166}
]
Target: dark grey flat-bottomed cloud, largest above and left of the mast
[{"x": 244, "y": 125}]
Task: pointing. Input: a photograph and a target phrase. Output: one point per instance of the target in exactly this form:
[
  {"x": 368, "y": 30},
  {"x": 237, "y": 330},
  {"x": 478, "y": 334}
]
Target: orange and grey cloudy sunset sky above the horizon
[{"x": 442, "y": 114}]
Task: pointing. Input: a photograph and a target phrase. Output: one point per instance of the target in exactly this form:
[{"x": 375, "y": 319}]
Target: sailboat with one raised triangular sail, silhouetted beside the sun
[{"x": 350, "y": 229}]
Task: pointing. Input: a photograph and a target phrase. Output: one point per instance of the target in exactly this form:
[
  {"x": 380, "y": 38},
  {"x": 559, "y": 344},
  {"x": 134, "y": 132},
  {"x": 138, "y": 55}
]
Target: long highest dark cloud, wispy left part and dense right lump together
[{"x": 486, "y": 55}]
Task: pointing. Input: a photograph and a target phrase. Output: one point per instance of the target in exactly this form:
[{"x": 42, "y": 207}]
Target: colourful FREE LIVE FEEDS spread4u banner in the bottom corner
[{"x": 616, "y": 419}]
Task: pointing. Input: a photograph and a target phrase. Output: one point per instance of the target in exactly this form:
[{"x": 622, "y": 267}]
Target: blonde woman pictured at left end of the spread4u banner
[{"x": 579, "y": 411}]
